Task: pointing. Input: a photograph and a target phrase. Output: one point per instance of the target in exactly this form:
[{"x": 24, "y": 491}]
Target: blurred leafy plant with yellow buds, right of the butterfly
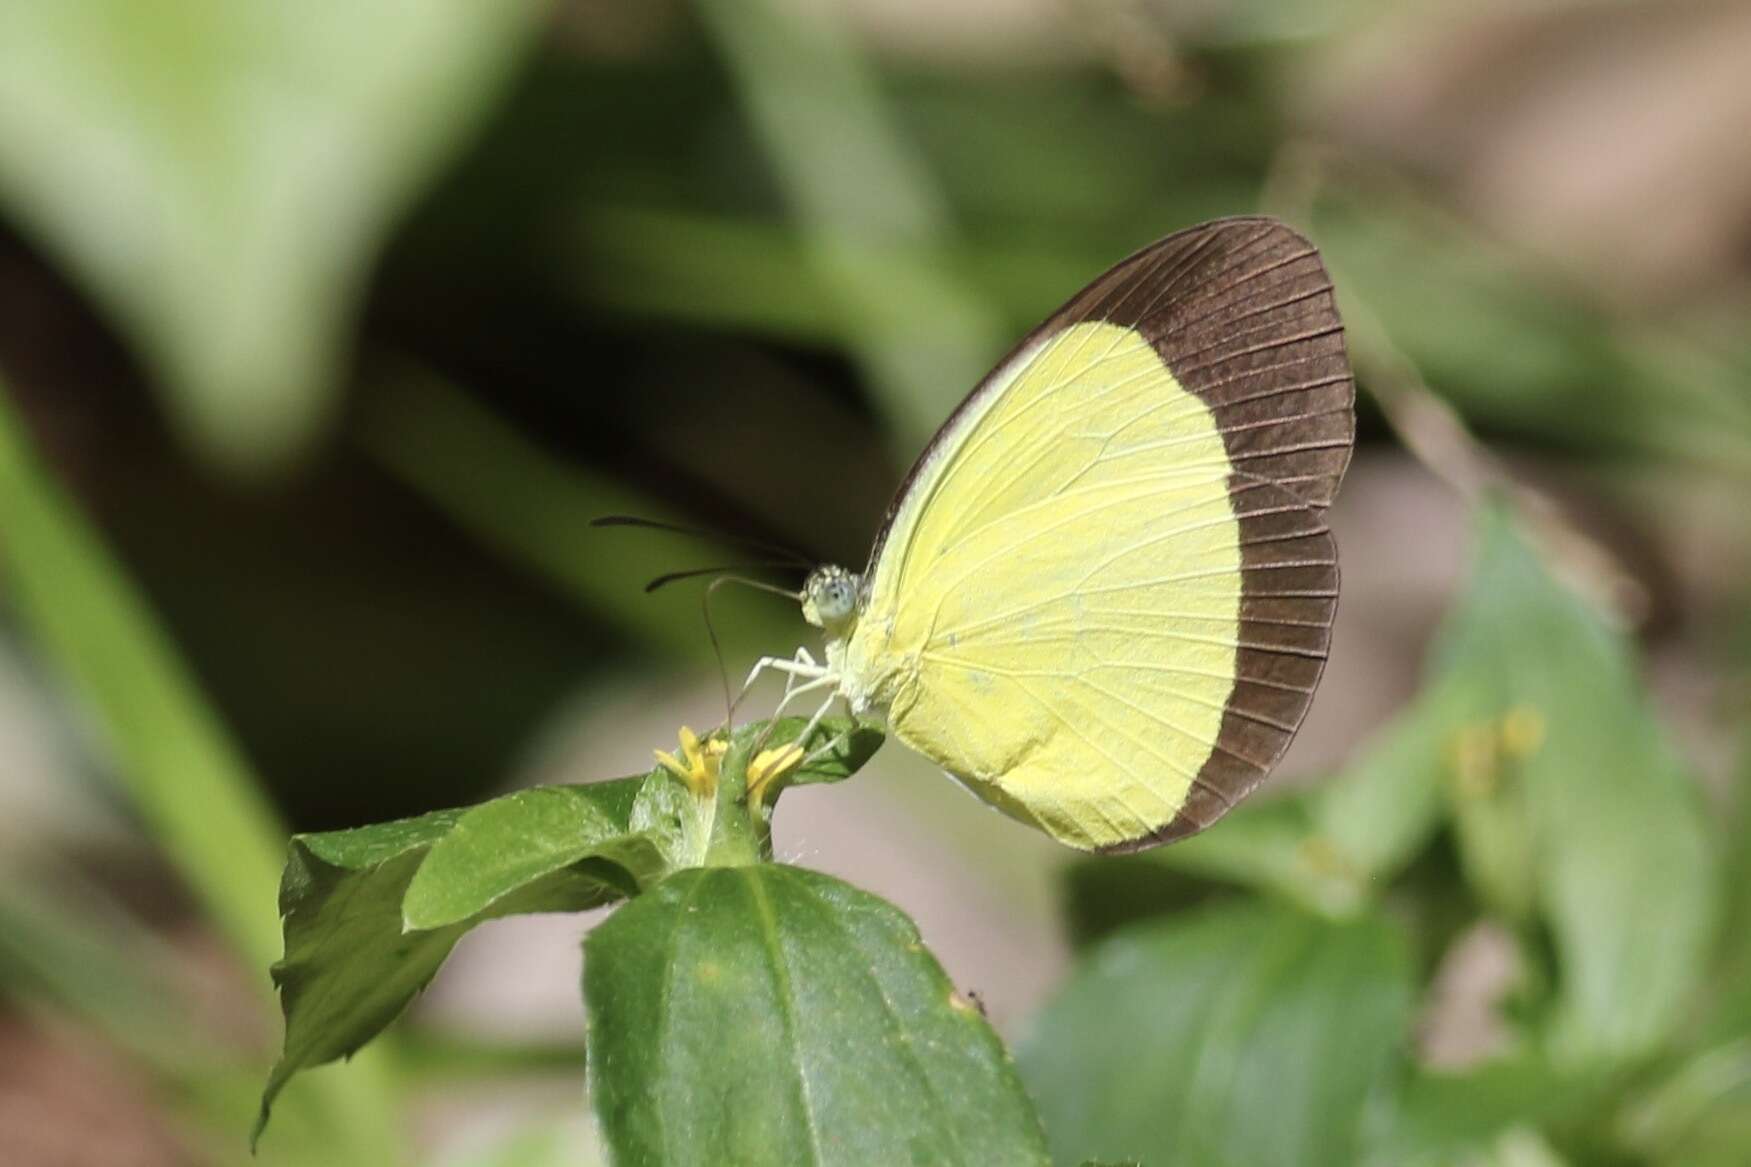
[{"x": 1533, "y": 756}]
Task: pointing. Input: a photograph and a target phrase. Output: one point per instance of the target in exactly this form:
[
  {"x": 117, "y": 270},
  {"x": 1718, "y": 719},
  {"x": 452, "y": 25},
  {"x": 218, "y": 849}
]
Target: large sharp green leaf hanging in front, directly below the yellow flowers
[{"x": 775, "y": 1015}]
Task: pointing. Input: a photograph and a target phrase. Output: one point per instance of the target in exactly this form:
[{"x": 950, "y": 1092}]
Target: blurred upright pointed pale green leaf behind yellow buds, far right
[{"x": 1582, "y": 810}]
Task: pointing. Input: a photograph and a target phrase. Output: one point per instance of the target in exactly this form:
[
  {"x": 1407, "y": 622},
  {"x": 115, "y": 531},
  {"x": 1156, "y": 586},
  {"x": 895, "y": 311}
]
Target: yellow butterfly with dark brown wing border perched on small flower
[{"x": 1104, "y": 595}]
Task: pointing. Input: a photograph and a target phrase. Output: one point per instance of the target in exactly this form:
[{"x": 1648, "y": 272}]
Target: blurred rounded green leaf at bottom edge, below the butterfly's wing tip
[{"x": 1239, "y": 1035}]
